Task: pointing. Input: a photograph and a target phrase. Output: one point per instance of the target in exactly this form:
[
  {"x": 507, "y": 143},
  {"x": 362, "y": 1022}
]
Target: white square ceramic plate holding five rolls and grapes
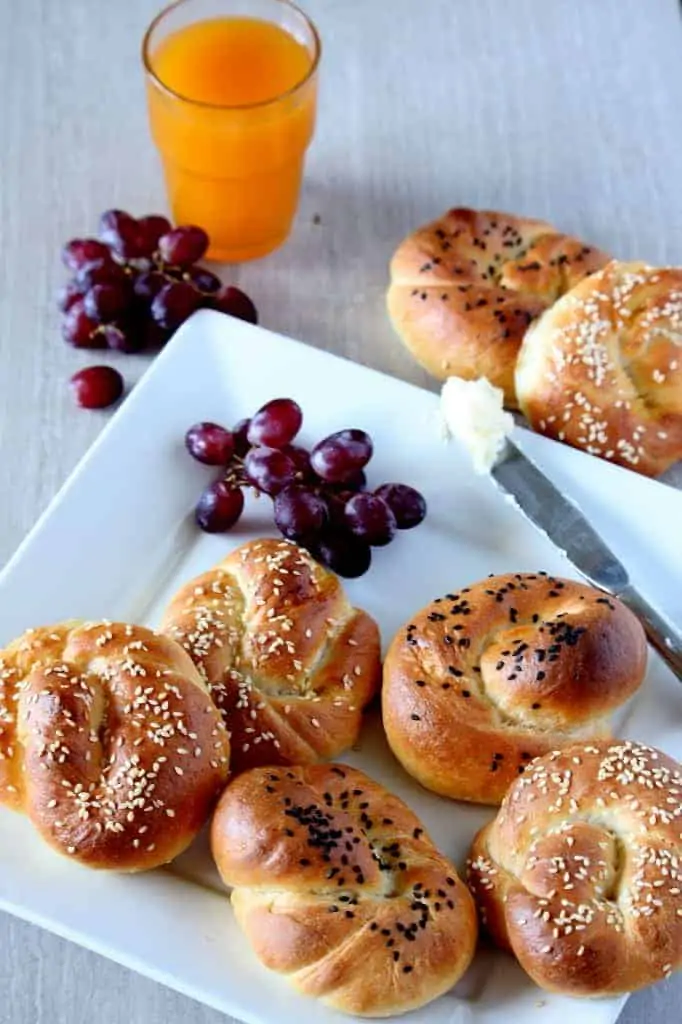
[{"x": 119, "y": 539}]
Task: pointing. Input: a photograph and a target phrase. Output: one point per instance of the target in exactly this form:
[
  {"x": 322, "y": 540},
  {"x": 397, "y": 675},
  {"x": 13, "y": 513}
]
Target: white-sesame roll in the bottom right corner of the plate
[{"x": 580, "y": 875}]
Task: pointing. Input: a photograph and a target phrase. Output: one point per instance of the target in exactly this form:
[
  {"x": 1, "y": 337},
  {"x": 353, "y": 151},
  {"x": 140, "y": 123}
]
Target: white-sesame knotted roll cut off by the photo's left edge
[{"x": 109, "y": 742}]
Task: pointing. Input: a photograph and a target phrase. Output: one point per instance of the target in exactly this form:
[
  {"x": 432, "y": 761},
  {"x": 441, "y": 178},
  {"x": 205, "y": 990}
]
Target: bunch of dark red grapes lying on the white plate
[{"x": 320, "y": 497}]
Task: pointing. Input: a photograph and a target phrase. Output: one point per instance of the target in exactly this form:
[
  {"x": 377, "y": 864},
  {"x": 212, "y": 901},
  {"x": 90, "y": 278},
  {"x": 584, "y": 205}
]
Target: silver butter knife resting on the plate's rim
[{"x": 562, "y": 521}]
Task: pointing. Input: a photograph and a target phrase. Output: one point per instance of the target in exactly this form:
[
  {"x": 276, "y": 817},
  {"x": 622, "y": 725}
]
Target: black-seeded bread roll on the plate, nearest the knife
[{"x": 484, "y": 680}]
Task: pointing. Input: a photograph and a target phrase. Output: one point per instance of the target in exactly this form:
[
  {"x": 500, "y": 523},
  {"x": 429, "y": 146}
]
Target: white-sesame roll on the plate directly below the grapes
[{"x": 288, "y": 661}]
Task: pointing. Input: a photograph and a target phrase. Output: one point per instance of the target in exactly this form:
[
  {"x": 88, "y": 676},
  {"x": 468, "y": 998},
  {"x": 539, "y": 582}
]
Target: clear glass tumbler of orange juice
[{"x": 232, "y": 92}]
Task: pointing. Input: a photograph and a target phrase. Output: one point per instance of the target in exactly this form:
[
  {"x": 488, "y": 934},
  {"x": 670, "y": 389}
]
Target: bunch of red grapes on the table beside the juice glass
[{"x": 134, "y": 286}]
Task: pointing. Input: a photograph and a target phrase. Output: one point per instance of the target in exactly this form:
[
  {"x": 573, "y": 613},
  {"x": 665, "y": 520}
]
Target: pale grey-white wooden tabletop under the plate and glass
[{"x": 567, "y": 111}]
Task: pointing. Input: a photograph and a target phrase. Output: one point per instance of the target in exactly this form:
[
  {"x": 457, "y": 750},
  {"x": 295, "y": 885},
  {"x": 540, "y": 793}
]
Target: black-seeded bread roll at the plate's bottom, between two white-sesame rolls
[{"x": 337, "y": 886}]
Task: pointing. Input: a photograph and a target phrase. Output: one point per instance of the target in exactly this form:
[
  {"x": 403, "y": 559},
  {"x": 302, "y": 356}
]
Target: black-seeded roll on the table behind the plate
[{"x": 465, "y": 288}]
